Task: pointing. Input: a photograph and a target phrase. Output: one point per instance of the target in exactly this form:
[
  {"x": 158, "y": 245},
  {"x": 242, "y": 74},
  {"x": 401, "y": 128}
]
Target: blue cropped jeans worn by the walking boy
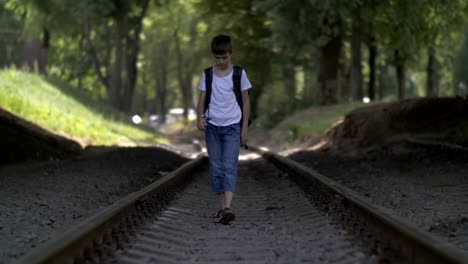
[{"x": 223, "y": 145}]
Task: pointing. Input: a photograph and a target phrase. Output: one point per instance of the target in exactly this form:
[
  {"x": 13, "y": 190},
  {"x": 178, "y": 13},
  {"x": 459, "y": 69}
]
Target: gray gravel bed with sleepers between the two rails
[{"x": 275, "y": 223}]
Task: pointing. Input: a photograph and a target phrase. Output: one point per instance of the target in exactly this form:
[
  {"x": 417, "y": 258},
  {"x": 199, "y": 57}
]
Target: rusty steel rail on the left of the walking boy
[{"x": 94, "y": 239}]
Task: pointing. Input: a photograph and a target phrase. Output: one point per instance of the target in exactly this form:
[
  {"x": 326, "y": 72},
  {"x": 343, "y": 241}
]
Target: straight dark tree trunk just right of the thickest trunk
[{"x": 356, "y": 57}]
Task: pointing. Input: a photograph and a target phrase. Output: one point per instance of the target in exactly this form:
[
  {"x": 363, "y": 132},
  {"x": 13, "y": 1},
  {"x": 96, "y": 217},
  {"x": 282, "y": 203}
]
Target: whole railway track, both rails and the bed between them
[{"x": 286, "y": 213}]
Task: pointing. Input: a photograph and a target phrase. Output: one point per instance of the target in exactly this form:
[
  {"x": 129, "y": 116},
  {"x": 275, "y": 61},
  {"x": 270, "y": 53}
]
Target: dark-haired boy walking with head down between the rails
[{"x": 224, "y": 122}]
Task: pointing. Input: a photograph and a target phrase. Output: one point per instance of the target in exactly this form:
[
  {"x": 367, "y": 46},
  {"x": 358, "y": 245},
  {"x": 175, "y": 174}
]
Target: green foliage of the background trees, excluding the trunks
[{"x": 267, "y": 34}]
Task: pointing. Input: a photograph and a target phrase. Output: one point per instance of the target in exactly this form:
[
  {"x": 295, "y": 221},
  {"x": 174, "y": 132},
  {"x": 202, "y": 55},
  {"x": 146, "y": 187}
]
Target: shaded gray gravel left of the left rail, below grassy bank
[{"x": 38, "y": 200}]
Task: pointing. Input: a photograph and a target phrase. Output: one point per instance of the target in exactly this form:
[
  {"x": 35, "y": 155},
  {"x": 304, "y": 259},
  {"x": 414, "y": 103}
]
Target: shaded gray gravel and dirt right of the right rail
[{"x": 425, "y": 184}]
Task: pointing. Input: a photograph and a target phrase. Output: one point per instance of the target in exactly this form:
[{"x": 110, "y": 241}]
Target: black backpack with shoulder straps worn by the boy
[{"x": 236, "y": 79}]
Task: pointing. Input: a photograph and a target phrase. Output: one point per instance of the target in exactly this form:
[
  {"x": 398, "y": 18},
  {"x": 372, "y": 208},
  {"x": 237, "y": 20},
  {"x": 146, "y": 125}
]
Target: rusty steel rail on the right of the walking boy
[{"x": 387, "y": 234}]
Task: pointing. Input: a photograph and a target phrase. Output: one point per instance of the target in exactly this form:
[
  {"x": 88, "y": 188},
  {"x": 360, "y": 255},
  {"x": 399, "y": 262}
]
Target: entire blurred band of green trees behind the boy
[{"x": 146, "y": 56}]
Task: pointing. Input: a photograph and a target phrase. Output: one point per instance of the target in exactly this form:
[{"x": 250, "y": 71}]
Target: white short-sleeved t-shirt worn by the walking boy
[{"x": 223, "y": 109}]
